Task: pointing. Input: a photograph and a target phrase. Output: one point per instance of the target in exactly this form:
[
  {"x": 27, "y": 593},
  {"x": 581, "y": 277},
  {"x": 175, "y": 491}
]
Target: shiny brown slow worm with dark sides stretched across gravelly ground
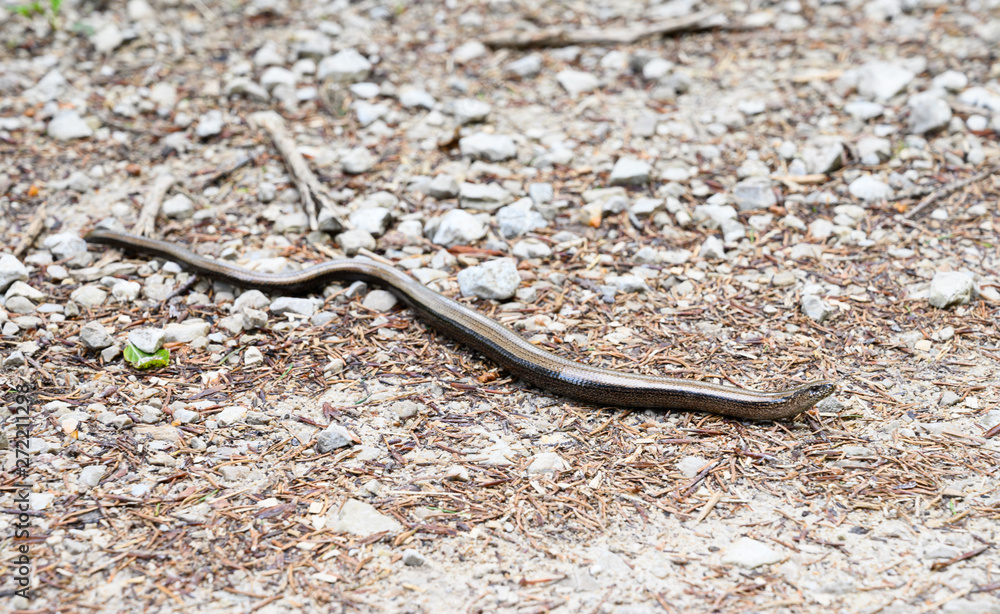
[{"x": 500, "y": 344}]
